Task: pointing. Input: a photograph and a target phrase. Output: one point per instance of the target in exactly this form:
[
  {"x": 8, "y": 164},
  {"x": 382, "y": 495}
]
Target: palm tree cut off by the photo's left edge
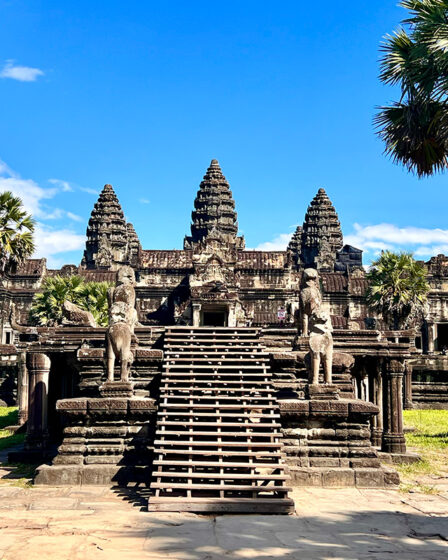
[{"x": 16, "y": 232}]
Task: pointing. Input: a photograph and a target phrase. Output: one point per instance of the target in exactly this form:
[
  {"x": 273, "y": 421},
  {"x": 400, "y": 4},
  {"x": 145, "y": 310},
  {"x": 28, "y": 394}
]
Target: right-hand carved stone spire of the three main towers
[{"x": 322, "y": 234}]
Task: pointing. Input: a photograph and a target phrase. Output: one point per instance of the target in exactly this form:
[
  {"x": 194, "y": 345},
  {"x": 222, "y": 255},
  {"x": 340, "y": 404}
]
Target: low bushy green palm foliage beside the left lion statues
[{"x": 47, "y": 305}]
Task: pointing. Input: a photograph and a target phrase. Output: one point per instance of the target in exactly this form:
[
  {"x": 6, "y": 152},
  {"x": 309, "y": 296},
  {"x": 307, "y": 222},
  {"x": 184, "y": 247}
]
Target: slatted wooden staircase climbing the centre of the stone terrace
[{"x": 218, "y": 441}]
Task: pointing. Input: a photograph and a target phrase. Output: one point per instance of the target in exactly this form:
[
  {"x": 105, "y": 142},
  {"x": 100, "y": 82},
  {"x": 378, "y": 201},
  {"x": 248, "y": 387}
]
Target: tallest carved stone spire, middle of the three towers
[{"x": 214, "y": 208}]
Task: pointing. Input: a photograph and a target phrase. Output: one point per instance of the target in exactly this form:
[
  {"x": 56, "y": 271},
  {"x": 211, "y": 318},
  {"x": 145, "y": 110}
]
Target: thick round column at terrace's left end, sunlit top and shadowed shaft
[{"x": 37, "y": 429}]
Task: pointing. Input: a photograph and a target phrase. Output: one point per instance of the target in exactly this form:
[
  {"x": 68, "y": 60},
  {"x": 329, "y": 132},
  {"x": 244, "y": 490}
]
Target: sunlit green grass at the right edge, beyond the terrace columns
[{"x": 428, "y": 438}]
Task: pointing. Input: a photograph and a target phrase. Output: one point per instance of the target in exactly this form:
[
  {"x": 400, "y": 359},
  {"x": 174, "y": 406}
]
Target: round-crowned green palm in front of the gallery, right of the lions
[{"x": 397, "y": 287}]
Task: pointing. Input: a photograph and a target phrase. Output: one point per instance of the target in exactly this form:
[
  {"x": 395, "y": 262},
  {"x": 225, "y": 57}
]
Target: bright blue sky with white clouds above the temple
[{"x": 143, "y": 95}]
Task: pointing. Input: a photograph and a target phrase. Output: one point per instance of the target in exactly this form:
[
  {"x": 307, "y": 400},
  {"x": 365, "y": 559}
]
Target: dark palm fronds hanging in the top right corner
[{"x": 415, "y": 128}]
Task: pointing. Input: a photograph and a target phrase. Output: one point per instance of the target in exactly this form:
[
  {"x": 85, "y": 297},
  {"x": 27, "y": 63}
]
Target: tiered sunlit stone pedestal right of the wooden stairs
[{"x": 327, "y": 443}]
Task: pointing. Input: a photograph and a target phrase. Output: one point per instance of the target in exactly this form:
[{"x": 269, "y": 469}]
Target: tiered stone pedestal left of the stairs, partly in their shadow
[{"x": 107, "y": 441}]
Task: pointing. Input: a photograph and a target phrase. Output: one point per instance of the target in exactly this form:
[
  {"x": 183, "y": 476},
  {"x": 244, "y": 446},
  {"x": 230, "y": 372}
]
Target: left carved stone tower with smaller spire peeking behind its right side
[{"x": 110, "y": 242}]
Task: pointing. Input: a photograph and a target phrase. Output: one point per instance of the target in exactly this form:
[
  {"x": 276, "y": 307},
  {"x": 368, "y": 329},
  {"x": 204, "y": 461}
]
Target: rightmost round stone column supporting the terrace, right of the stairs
[{"x": 393, "y": 436}]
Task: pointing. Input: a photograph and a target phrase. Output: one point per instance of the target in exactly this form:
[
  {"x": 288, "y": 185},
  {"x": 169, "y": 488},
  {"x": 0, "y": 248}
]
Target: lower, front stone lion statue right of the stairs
[{"x": 321, "y": 346}]
